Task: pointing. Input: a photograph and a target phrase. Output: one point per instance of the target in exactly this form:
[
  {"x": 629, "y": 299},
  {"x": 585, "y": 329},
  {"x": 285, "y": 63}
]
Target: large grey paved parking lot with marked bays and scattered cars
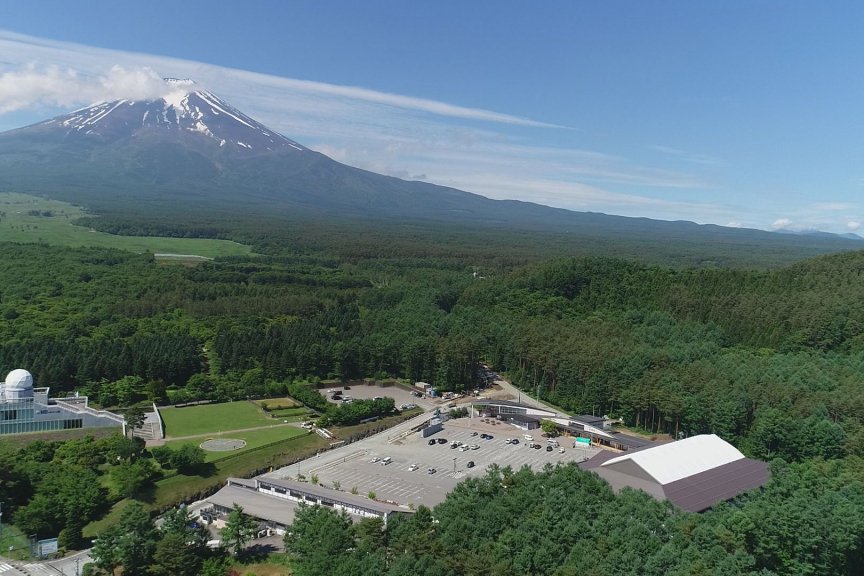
[{"x": 352, "y": 466}]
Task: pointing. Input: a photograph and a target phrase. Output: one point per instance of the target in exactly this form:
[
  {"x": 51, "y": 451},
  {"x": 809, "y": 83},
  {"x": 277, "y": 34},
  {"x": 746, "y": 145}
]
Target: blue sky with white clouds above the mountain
[{"x": 732, "y": 113}]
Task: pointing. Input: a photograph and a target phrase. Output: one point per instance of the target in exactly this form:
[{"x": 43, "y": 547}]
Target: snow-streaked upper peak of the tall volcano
[{"x": 184, "y": 109}]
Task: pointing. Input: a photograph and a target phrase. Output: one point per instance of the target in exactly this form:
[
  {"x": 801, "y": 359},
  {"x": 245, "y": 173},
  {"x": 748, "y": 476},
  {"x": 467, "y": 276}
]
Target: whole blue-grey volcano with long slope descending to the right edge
[{"x": 190, "y": 155}]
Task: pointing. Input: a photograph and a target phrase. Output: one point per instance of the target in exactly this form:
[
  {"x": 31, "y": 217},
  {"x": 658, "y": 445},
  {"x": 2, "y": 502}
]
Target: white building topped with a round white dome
[{"x": 24, "y": 408}]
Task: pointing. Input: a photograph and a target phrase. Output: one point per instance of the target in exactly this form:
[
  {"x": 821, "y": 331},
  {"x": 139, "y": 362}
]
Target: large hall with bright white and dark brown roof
[{"x": 693, "y": 474}]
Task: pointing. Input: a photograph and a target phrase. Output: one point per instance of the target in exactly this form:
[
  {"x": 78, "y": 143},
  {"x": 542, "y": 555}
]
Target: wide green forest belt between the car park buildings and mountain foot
[{"x": 763, "y": 358}]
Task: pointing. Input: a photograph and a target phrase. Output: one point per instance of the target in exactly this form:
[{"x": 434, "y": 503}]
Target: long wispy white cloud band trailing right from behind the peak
[{"x": 496, "y": 154}]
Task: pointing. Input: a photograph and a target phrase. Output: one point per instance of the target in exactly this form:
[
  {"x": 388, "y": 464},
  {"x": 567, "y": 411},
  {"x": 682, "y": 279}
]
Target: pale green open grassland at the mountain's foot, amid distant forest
[{"x": 30, "y": 219}]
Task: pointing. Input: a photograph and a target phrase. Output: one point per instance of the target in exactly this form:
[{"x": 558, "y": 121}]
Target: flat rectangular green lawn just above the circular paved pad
[{"x": 212, "y": 418}]
